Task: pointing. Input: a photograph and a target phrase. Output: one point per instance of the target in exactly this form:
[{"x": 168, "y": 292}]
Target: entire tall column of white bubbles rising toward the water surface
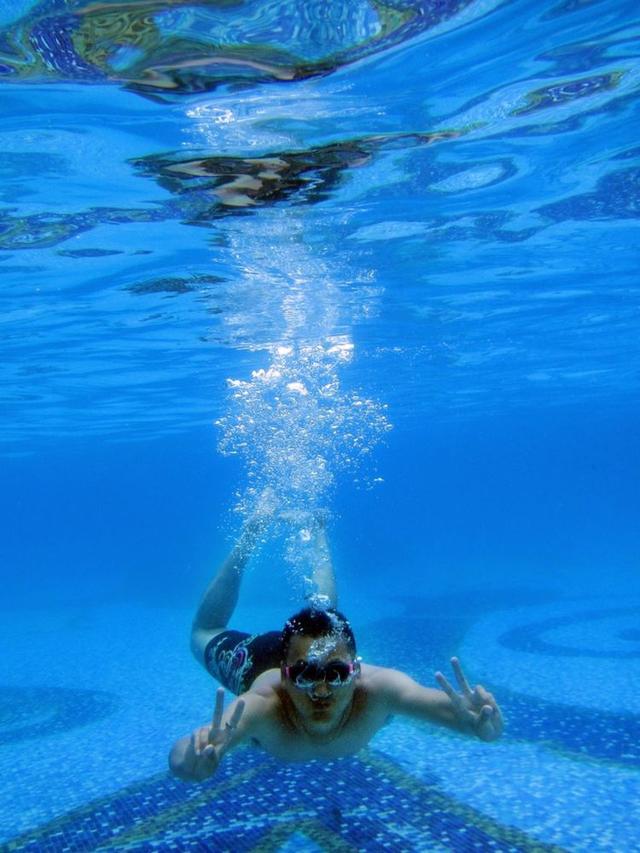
[{"x": 293, "y": 423}]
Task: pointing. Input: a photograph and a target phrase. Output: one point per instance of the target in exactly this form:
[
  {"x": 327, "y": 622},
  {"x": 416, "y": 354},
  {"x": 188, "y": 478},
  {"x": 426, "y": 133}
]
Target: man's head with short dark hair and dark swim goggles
[{"x": 319, "y": 666}]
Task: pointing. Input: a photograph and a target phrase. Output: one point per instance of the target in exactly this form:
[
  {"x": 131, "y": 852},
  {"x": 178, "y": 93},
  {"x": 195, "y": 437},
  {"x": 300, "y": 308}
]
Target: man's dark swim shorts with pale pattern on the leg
[{"x": 236, "y": 659}]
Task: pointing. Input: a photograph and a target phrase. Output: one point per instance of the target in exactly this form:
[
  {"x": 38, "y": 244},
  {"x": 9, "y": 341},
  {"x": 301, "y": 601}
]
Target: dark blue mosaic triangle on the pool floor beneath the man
[{"x": 257, "y": 804}]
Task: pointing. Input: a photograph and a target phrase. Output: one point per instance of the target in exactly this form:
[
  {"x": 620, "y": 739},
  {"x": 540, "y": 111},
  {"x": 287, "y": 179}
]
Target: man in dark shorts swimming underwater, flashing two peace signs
[{"x": 303, "y": 693}]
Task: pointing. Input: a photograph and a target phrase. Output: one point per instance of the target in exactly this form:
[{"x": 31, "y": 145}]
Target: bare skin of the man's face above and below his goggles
[{"x": 322, "y": 706}]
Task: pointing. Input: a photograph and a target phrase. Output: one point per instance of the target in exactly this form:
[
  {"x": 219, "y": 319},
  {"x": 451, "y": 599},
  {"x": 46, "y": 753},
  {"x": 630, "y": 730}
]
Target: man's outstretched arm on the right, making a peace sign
[{"x": 471, "y": 711}]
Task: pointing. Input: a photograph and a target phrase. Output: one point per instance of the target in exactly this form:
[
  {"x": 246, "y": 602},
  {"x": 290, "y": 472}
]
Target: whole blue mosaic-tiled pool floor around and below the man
[{"x": 89, "y": 703}]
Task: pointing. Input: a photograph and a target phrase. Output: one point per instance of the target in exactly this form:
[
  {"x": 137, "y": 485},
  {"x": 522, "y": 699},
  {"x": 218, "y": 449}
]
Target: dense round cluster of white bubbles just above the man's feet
[{"x": 295, "y": 426}]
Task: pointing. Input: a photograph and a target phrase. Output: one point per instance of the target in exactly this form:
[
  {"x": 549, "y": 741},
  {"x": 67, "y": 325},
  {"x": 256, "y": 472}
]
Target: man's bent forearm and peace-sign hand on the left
[{"x": 196, "y": 757}]
